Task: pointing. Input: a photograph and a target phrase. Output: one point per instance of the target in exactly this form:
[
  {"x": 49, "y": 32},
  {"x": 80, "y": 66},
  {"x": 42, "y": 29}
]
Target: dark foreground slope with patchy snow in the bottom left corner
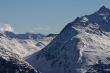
[{"x": 11, "y": 63}]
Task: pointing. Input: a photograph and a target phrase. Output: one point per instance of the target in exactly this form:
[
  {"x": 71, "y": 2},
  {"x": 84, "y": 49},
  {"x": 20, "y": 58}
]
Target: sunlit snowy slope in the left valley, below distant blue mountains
[{"x": 23, "y": 47}]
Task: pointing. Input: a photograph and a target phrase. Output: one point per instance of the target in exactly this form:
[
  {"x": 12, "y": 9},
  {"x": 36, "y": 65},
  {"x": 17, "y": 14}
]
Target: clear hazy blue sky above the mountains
[{"x": 45, "y": 16}]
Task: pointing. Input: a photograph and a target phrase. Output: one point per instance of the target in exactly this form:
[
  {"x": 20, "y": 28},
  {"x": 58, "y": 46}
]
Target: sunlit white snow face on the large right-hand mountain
[{"x": 93, "y": 47}]
